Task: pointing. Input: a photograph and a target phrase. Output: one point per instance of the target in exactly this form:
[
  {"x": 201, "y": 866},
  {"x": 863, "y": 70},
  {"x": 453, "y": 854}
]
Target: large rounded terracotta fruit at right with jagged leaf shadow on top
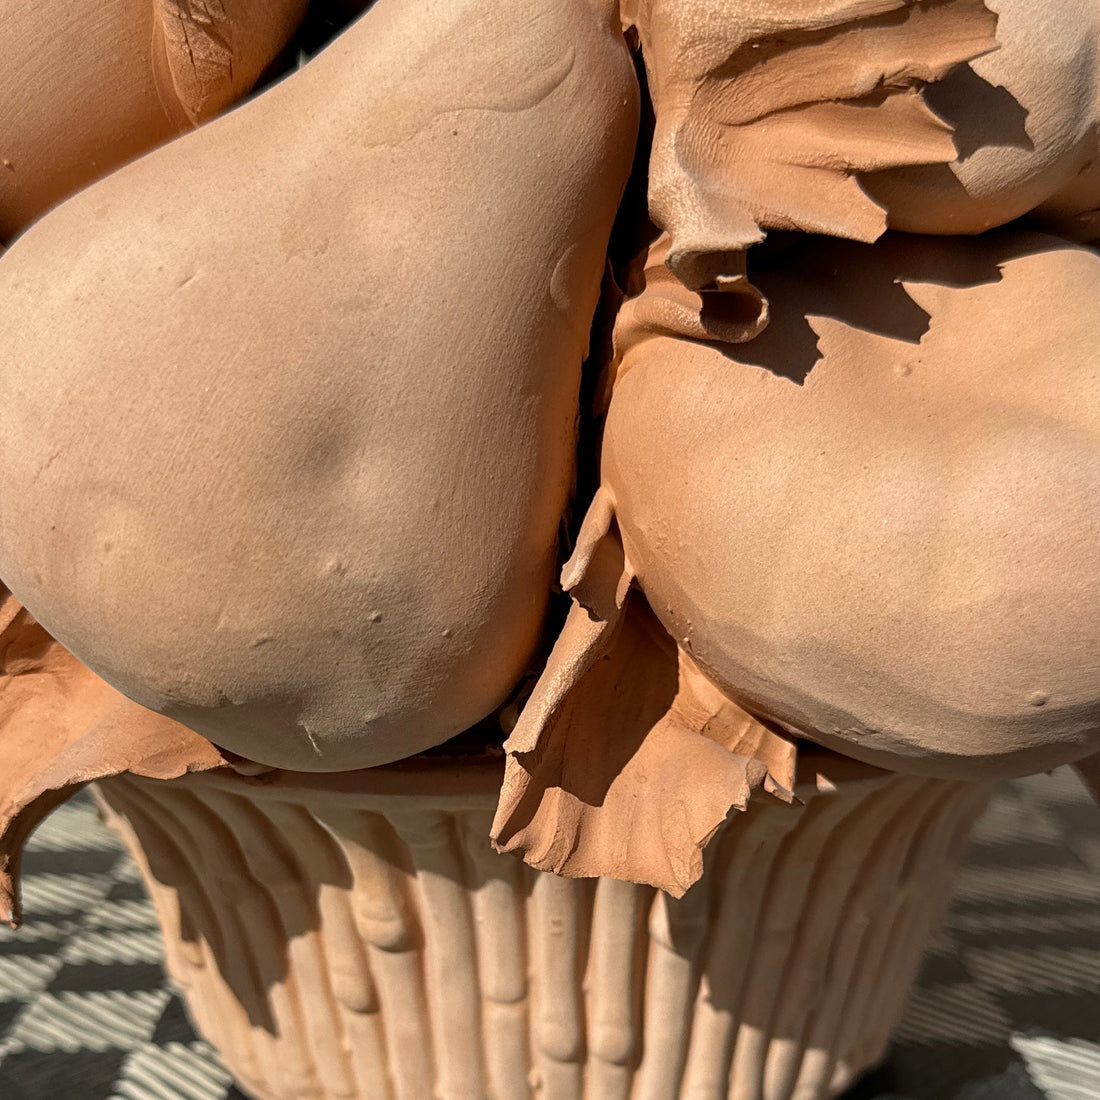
[{"x": 877, "y": 524}]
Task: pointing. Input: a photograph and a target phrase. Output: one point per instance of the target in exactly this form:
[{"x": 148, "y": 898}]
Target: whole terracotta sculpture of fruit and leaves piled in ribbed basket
[{"x": 289, "y": 441}]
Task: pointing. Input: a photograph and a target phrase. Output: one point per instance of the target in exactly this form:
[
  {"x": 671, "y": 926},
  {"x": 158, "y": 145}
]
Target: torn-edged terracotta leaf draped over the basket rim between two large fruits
[{"x": 626, "y": 761}]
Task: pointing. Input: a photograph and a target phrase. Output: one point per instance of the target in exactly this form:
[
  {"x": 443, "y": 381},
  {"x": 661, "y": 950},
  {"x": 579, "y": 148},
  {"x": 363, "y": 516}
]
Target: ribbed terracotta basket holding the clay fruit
[{"x": 356, "y": 937}]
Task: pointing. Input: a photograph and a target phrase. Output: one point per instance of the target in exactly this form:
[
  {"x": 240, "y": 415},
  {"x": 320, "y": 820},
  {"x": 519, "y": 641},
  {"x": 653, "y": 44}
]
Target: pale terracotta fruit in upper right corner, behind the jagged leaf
[{"x": 1027, "y": 122}]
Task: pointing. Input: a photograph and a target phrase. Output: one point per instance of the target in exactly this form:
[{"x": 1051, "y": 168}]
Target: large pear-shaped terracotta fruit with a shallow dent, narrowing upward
[{"x": 291, "y": 404}]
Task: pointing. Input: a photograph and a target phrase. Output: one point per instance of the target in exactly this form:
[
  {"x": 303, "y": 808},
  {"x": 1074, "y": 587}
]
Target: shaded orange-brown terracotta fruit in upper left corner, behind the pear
[{"x": 87, "y": 85}]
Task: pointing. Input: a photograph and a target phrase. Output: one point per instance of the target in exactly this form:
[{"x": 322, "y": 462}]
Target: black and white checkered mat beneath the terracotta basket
[{"x": 1008, "y": 1007}]
